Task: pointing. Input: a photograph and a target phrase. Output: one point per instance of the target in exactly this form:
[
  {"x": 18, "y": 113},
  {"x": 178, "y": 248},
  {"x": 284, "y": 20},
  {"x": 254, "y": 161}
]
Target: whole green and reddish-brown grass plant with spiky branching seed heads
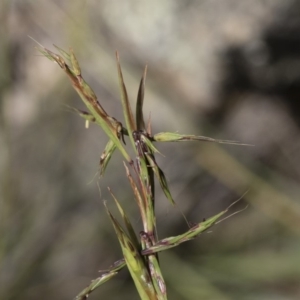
[{"x": 140, "y": 252}]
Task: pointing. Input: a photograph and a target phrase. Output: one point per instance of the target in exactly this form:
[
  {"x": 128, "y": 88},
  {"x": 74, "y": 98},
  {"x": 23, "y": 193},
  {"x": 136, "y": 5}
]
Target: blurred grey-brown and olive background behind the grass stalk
[{"x": 226, "y": 69}]
